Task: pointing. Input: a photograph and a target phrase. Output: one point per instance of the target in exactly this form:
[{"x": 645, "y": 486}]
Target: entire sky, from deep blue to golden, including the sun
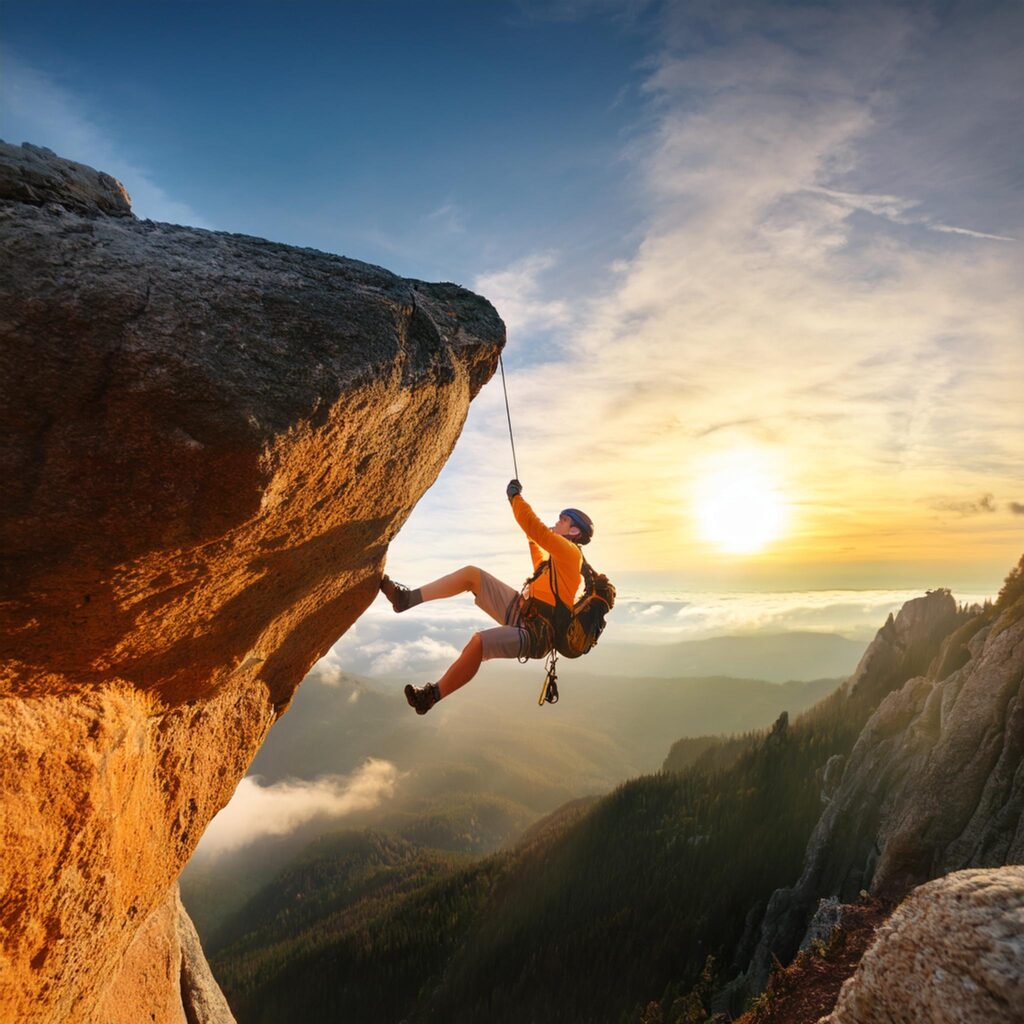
[{"x": 760, "y": 263}]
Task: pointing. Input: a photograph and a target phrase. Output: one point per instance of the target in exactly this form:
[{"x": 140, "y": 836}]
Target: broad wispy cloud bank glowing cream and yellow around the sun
[{"x": 801, "y": 292}]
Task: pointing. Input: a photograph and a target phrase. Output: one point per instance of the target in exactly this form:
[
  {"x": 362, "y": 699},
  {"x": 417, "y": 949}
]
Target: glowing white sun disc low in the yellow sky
[{"x": 739, "y": 505}]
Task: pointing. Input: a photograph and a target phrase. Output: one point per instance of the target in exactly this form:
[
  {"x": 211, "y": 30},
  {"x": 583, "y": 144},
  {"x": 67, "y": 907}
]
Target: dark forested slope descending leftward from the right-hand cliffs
[{"x": 611, "y": 908}]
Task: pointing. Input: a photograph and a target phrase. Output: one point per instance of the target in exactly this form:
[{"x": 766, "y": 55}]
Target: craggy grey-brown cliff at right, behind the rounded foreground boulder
[{"x": 935, "y": 782}]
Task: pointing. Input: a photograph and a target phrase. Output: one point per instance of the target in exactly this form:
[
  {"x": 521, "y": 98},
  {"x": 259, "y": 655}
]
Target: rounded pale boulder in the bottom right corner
[{"x": 953, "y": 954}]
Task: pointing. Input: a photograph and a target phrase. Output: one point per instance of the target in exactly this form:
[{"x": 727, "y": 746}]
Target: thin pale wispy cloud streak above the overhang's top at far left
[{"x": 42, "y": 111}]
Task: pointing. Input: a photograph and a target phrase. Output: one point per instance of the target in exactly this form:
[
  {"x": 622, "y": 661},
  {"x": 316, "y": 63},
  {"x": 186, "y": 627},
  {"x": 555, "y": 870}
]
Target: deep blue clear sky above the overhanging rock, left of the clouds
[{"x": 438, "y": 140}]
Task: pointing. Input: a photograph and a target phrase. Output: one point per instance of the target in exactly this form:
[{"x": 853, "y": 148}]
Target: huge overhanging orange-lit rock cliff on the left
[{"x": 209, "y": 441}]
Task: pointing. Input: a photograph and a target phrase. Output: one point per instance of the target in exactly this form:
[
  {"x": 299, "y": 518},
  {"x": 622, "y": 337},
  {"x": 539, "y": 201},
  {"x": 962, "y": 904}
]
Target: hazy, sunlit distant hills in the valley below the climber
[{"x": 482, "y": 767}]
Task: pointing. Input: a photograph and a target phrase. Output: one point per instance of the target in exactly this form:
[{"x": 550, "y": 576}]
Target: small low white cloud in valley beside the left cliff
[{"x": 258, "y": 812}]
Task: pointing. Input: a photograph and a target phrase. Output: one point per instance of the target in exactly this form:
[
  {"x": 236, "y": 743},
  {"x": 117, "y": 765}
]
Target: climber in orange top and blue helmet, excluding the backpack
[{"x": 527, "y": 619}]
